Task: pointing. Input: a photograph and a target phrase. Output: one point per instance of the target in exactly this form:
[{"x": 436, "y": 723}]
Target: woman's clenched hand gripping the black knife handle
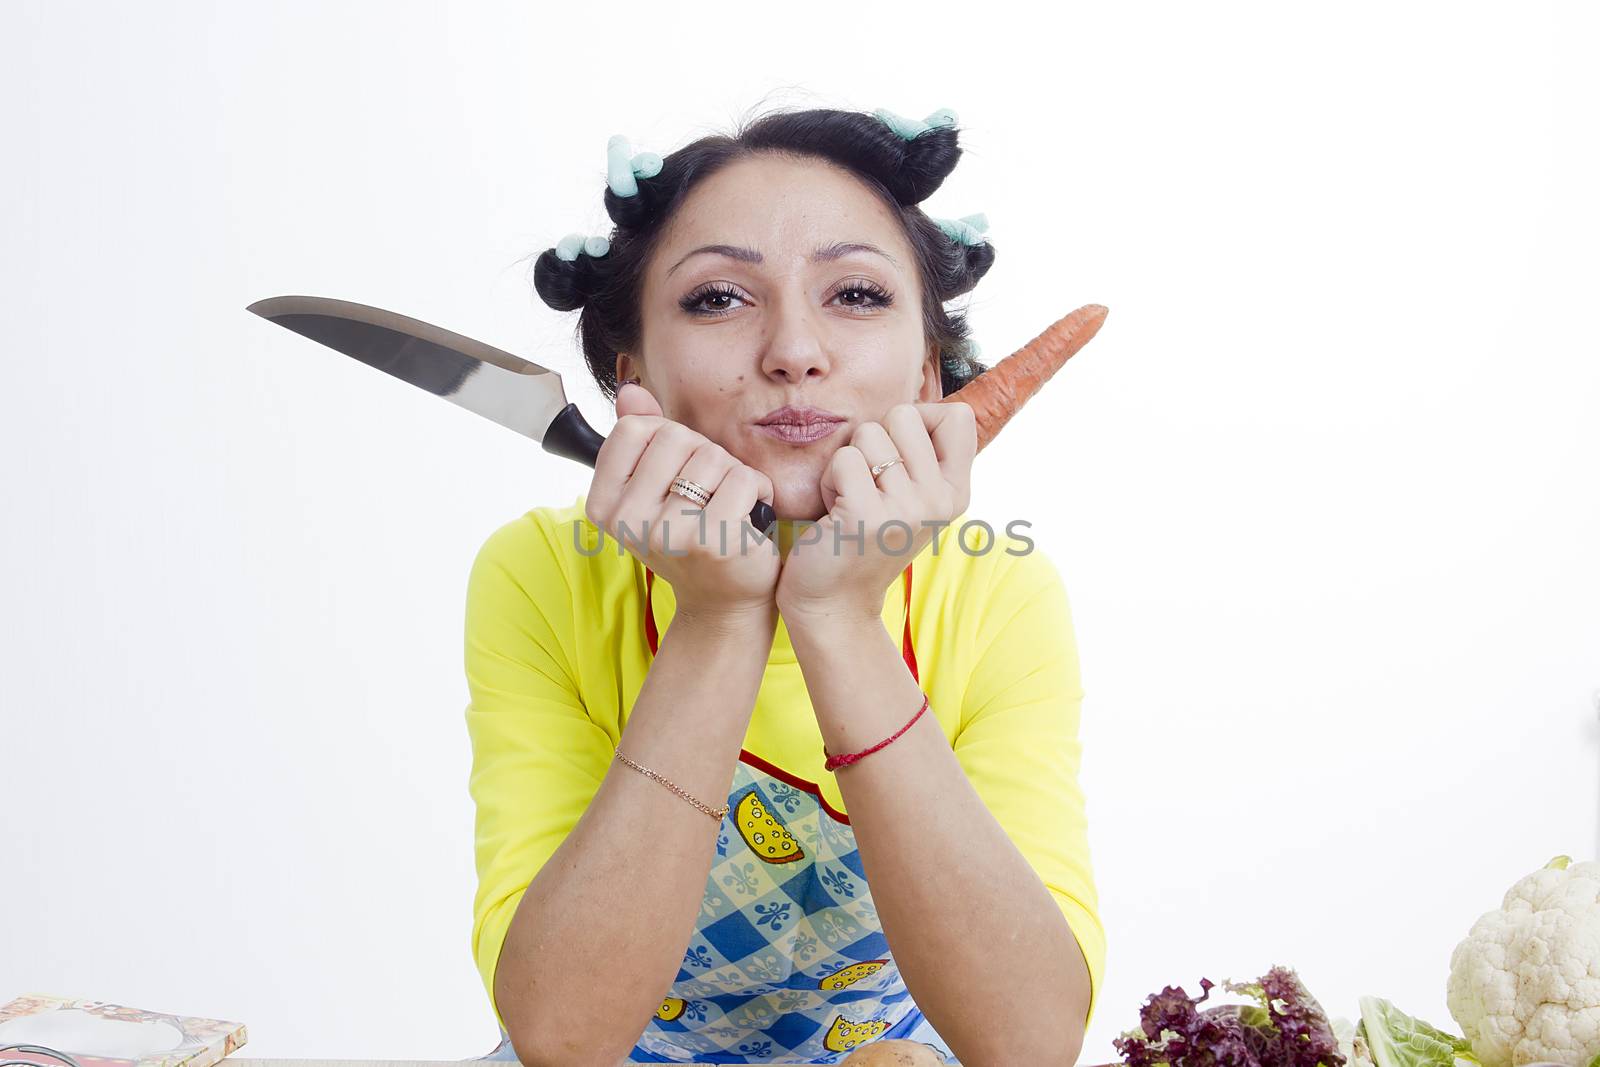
[{"x": 713, "y": 573}]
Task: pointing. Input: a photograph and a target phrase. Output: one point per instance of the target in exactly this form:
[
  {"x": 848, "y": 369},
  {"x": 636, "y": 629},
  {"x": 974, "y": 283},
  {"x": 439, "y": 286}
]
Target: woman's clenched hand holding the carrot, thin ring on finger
[{"x": 873, "y": 530}]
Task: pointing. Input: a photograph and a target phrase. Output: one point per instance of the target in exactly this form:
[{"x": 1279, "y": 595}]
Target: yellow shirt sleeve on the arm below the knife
[{"x": 537, "y": 756}]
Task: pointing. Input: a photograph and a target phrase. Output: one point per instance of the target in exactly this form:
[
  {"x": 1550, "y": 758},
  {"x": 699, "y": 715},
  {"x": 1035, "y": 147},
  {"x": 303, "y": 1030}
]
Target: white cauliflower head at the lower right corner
[{"x": 1526, "y": 981}]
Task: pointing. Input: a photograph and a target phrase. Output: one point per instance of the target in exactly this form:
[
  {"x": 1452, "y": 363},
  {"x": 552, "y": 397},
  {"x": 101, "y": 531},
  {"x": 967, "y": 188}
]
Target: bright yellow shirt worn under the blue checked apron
[{"x": 556, "y": 653}]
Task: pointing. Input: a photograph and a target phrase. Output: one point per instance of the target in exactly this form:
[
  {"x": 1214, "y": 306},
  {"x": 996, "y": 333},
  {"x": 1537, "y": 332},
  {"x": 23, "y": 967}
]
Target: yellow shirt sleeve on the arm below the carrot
[{"x": 1018, "y": 740}]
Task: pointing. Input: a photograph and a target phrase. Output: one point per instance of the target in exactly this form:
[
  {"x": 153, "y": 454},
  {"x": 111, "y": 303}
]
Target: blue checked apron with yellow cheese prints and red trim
[{"x": 788, "y": 962}]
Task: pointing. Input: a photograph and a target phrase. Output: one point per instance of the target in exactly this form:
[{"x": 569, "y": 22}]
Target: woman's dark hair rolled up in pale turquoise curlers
[{"x": 900, "y": 172}]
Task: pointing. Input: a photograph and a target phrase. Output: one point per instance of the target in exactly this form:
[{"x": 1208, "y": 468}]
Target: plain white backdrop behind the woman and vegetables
[{"x": 1324, "y": 489}]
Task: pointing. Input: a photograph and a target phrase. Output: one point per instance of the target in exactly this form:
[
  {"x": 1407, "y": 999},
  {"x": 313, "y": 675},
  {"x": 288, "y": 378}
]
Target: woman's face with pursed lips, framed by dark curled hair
[{"x": 727, "y": 342}]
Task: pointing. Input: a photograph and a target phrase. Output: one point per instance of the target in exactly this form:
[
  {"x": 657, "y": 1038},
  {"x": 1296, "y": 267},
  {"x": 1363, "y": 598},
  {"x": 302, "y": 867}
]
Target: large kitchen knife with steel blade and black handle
[{"x": 500, "y": 386}]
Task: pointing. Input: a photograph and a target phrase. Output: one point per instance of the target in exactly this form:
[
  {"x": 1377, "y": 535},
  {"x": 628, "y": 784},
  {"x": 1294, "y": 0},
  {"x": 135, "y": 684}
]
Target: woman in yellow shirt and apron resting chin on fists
[{"x": 671, "y": 866}]
